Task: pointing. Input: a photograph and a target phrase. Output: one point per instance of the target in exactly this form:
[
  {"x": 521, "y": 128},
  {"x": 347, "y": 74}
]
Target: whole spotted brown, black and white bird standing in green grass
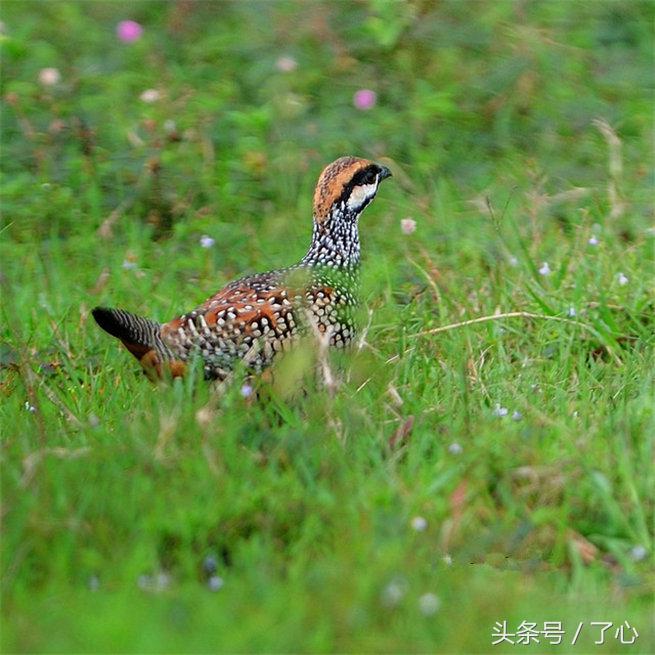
[{"x": 256, "y": 317}]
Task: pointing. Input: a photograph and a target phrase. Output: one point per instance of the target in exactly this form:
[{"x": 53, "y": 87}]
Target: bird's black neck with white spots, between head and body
[{"x": 335, "y": 242}]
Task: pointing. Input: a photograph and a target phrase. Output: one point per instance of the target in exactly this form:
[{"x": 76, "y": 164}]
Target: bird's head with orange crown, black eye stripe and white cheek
[{"x": 346, "y": 187}]
